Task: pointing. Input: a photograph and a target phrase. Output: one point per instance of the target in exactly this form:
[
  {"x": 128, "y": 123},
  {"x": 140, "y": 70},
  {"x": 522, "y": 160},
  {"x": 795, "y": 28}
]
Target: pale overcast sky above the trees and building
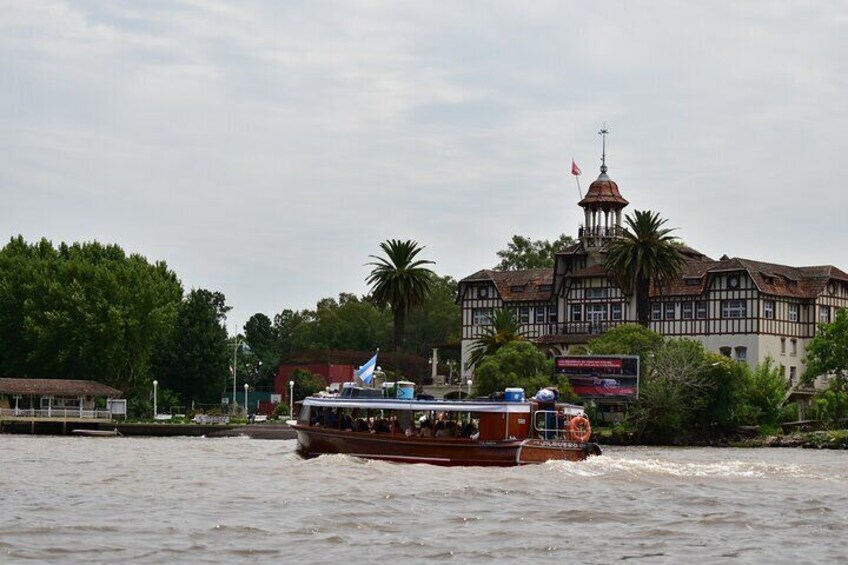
[{"x": 265, "y": 149}]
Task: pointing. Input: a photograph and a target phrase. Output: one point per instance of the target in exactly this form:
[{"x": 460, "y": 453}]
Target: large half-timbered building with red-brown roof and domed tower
[{"x": 745, "y": 309}]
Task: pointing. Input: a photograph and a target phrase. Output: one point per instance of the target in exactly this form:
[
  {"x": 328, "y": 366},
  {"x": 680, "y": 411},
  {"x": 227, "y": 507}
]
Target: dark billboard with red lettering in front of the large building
[{"x": 601, "y": 376}]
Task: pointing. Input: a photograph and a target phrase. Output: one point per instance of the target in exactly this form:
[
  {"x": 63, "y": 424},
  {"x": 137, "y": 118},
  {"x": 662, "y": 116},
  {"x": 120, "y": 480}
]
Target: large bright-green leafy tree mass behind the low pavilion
[{"x": 83, "y": 311}]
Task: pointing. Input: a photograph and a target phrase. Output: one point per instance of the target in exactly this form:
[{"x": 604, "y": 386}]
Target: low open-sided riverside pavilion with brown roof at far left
[{"x": 50, "y": 399}]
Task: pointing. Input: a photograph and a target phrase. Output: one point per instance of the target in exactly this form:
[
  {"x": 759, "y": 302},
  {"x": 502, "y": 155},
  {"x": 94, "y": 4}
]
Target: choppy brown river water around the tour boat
[{"x": 198, "y": 500}]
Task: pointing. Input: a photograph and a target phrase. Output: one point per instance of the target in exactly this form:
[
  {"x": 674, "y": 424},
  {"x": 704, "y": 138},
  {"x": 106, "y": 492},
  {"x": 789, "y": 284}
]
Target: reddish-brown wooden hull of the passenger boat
[{"x": 315, "y": 441}]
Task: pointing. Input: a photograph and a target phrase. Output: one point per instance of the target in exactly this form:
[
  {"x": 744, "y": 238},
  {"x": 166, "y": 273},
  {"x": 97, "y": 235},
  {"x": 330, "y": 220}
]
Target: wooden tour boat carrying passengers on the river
[{"x": 505, "y": 432}]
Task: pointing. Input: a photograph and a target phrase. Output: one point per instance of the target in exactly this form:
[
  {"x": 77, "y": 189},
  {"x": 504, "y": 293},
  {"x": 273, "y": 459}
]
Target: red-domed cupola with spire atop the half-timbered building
[{"x": 602, "y": 206}]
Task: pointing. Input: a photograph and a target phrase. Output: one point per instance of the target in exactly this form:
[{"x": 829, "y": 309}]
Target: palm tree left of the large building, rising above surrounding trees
[{"x": 400, "y": 281}]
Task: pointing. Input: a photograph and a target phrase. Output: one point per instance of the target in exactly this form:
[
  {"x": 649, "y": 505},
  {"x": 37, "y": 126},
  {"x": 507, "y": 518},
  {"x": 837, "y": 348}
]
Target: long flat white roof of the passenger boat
[{"x": 431, "y": 405}]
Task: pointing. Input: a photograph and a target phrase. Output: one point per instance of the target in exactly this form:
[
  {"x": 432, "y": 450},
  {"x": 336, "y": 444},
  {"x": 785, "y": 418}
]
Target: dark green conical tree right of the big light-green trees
[{"x": 195, "y": 361}]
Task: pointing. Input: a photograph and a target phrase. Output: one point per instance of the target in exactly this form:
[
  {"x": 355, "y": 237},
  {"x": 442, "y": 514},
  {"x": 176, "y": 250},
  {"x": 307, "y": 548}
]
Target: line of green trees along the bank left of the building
[{"x": 91, "y": 311}]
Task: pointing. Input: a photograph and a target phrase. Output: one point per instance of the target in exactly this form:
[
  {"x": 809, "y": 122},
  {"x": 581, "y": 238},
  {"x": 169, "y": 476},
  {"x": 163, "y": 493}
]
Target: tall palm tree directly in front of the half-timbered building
[{"x": 646, "y": 254}]
